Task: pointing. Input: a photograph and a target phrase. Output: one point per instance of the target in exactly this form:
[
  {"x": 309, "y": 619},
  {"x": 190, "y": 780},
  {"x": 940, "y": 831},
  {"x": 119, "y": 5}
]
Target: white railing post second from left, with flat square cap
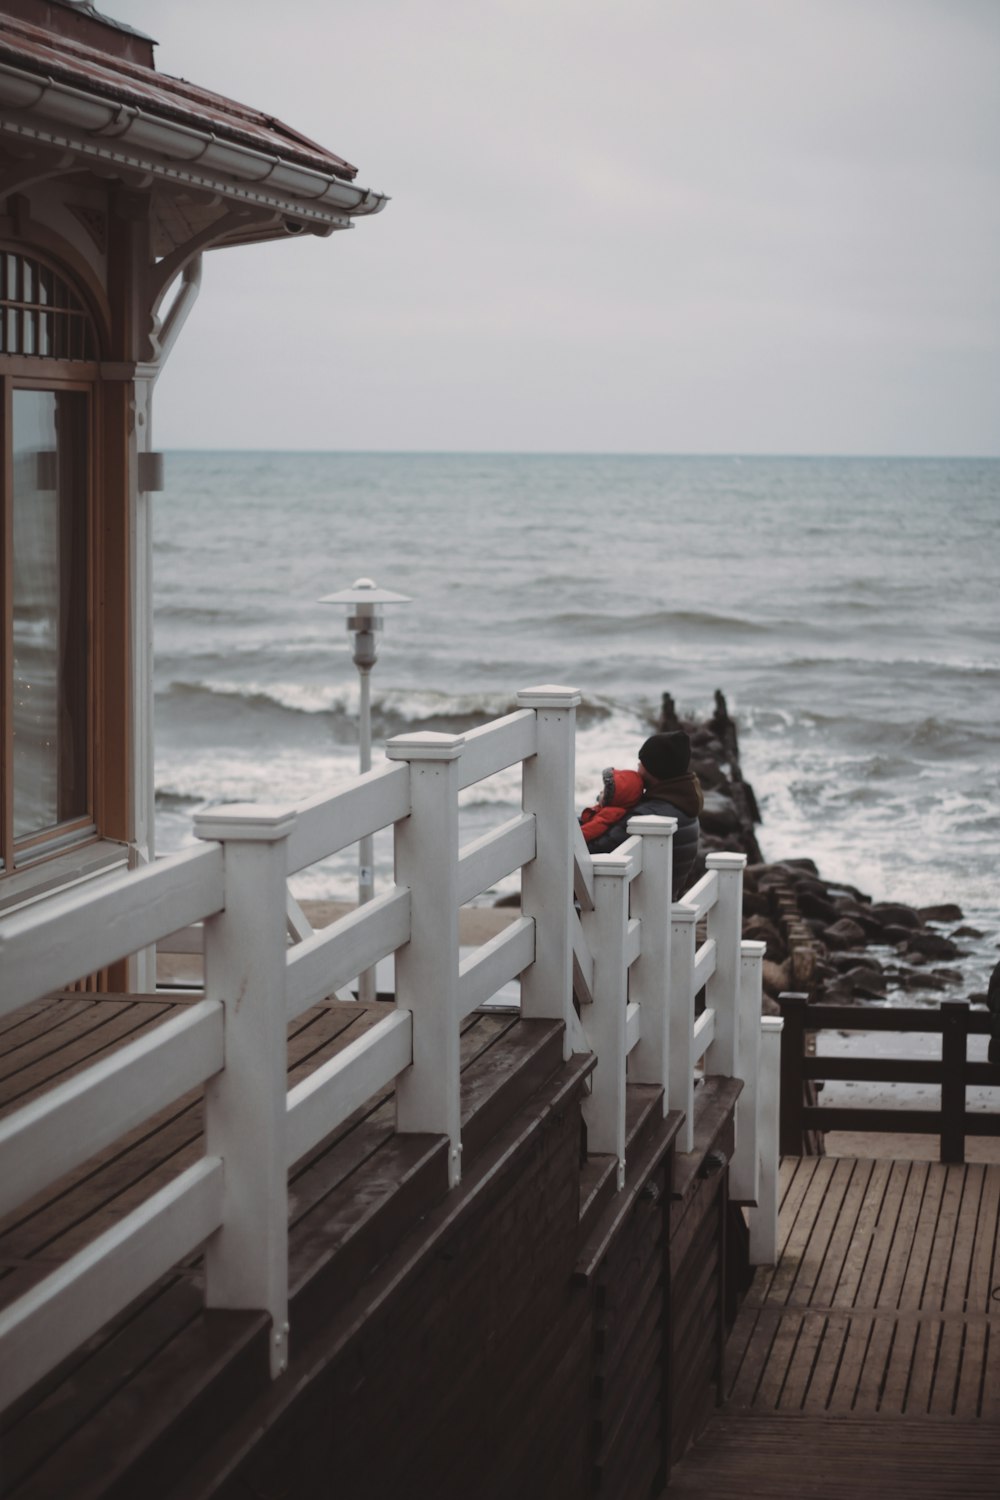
[{"x": 427, "y": 853}]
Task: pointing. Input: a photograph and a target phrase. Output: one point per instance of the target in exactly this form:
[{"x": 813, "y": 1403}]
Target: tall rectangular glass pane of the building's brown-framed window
[{"x": 50, "y": 610}]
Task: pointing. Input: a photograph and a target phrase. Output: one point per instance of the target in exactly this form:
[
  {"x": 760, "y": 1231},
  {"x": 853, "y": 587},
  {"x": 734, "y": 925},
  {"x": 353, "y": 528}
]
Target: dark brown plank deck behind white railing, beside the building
[{"x": 137, "y": 1375}]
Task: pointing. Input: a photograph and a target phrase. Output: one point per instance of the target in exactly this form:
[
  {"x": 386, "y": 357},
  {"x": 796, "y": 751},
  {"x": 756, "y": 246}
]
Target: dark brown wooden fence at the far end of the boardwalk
[{"x": 954, "y": 1021}]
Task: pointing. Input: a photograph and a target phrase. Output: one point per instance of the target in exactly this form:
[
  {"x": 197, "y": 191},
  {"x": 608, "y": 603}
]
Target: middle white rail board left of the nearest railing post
[{"x": 79, "y": 1118}]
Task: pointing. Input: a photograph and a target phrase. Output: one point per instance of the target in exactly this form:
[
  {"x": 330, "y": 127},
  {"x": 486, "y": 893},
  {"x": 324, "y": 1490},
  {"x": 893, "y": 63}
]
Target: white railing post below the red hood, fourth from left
[{"x": 606, "y": 929}]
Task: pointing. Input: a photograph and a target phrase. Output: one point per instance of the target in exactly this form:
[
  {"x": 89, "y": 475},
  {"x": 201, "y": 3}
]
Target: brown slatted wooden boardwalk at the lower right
[{"x": 867, "y": 1363}]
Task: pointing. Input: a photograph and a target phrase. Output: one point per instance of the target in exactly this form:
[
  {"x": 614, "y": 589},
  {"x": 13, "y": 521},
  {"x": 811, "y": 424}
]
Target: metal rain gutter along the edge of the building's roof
[{"x": 128, "y": 136}]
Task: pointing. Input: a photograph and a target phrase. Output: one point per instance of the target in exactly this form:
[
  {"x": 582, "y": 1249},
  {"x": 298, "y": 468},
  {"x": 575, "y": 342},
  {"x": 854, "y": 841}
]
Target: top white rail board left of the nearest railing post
[{"x": 49, "y": 946}]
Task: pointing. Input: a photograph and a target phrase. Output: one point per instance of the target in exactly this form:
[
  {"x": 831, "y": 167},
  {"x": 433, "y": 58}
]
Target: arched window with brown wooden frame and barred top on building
[{"x": 47, "y": 391}]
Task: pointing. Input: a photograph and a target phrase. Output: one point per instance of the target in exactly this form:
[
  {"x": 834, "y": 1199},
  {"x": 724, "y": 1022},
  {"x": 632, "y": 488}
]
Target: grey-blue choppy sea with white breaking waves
[{"x": 849, "y": 610}]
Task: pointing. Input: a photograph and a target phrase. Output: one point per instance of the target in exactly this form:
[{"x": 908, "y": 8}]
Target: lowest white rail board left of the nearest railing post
[{"x": 71, "y": 1304}]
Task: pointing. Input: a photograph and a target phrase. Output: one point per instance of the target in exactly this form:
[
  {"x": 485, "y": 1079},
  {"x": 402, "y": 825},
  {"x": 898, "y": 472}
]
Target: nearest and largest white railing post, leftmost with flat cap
[{"x": 247, "y": 1105}]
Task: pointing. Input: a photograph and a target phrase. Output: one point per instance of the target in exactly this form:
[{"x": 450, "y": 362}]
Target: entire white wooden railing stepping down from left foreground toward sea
[{"x": 624, "y": 955}]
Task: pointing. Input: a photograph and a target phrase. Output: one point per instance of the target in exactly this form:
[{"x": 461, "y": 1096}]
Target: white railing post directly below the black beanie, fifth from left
[{"x": 650, "y": 979}]
